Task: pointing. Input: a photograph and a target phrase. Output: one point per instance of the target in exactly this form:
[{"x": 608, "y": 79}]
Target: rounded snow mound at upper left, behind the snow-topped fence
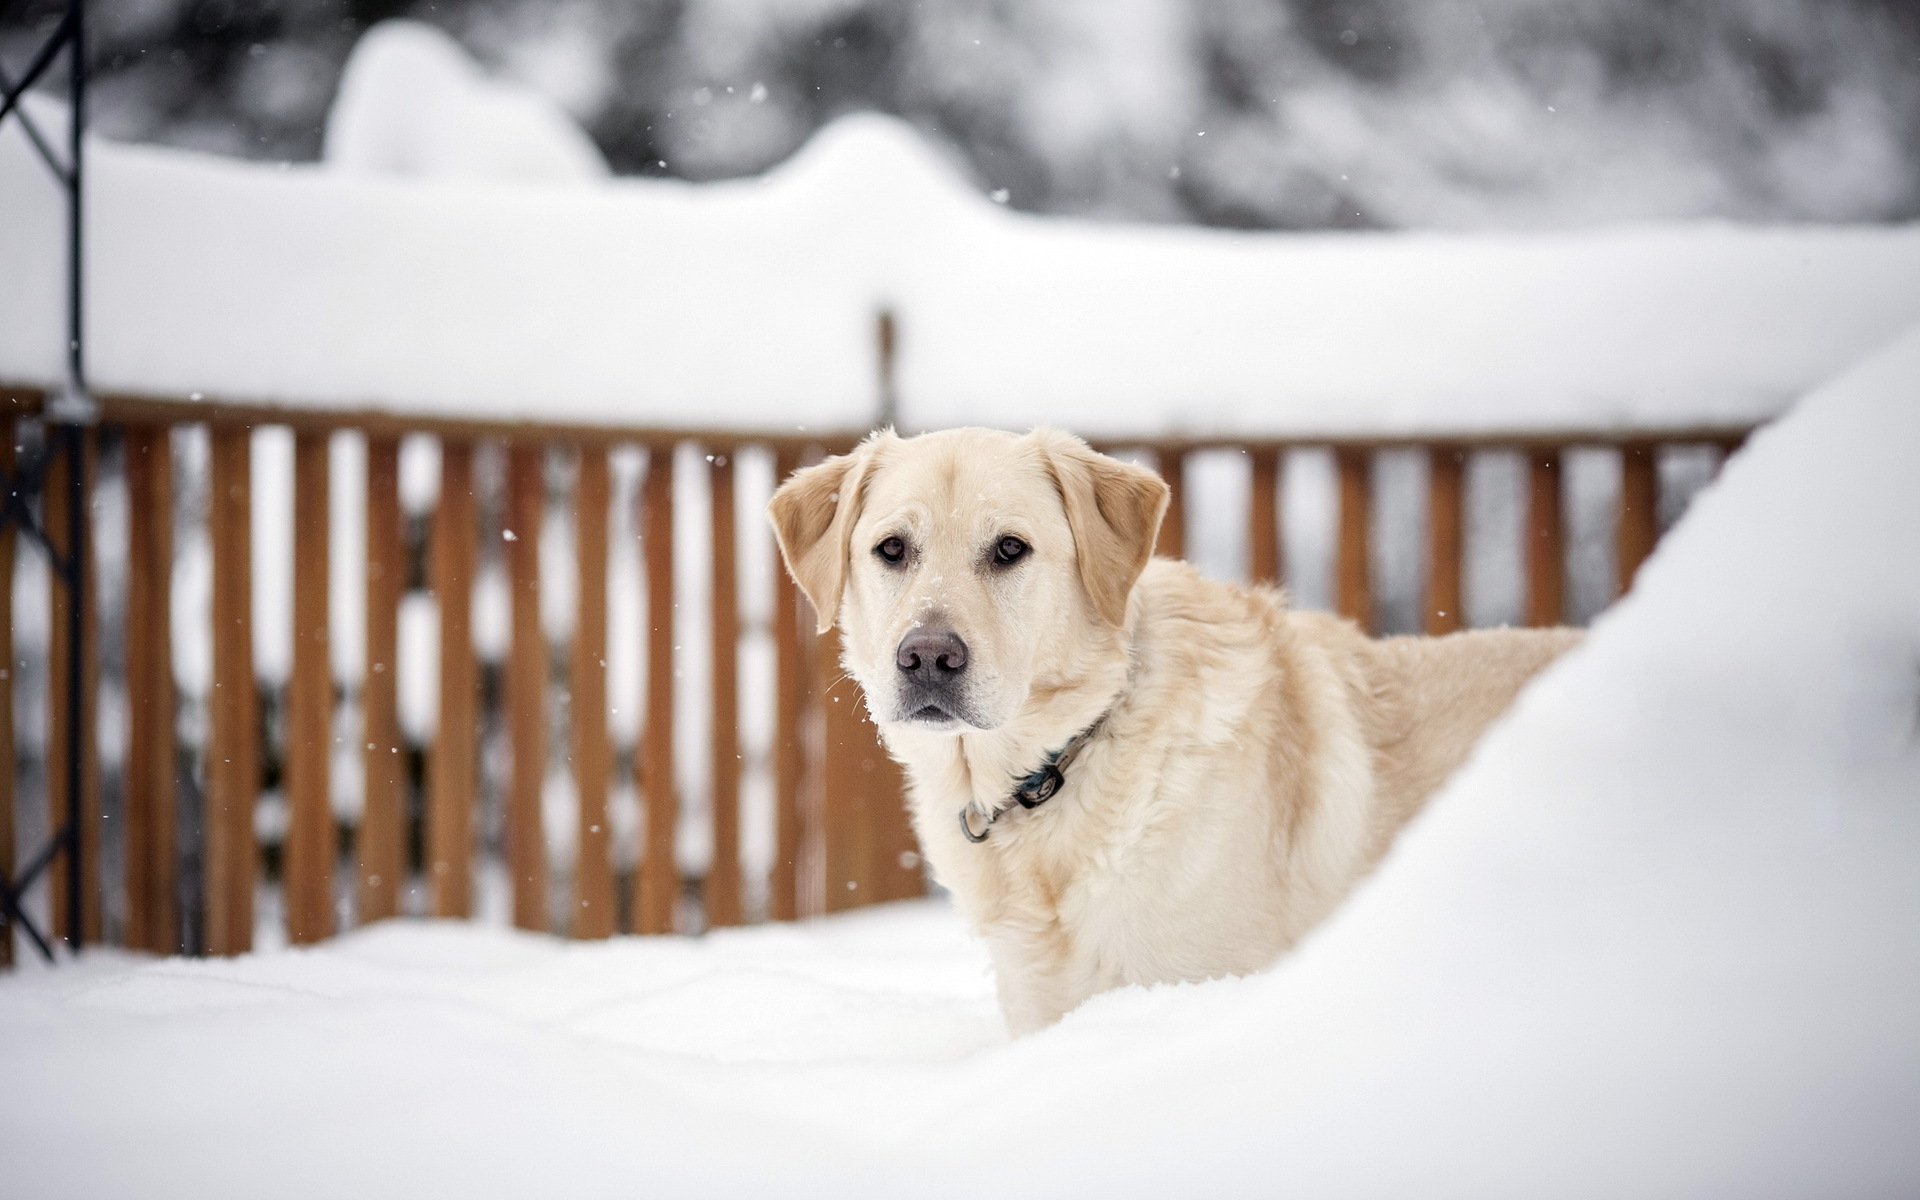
[{"x": 414, "y": 103}]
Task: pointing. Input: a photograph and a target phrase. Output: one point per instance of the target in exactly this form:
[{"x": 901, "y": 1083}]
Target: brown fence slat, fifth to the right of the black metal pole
[{"x": 450, "y": 767}]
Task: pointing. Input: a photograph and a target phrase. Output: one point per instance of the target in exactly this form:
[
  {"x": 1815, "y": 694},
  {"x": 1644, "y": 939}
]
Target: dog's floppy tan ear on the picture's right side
[{"x": 1115, "y": 512}]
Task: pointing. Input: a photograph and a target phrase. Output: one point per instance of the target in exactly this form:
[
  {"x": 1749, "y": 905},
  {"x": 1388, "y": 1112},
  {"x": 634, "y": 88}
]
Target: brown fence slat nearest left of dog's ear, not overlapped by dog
[{"x": 723, "y": 878}]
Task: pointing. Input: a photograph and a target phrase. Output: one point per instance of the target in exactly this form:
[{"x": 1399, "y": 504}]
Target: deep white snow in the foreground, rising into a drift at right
[{"x": 1662, "y": 938}]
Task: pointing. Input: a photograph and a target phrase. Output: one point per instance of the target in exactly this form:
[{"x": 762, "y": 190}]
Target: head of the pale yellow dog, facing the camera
[{"x": 969, "y": 569}]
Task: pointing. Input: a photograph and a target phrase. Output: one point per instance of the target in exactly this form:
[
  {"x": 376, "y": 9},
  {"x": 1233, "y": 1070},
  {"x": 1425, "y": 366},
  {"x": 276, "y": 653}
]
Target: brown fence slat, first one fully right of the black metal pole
[{"x": 149, "y": 821}]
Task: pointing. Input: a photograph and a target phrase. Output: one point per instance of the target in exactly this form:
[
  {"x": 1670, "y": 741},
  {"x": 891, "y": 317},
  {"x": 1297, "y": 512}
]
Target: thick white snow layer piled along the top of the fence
[{"x": 754, "y": 304}]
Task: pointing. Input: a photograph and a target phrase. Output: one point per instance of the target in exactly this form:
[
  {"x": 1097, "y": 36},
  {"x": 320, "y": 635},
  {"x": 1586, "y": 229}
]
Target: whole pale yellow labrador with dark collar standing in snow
[{"x": 1126, "y": 773}]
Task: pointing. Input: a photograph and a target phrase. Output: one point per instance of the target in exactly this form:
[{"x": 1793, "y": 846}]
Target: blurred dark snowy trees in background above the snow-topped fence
[{"x": 1259, "y": 114}]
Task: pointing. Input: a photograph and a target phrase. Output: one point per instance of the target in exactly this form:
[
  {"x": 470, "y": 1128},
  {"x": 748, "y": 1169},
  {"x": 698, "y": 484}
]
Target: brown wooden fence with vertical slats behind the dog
[{"x": 840, "y": 830}]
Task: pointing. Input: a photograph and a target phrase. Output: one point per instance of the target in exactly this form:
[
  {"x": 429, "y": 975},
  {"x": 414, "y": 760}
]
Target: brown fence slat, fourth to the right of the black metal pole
[{"x": 383, "y": 838}]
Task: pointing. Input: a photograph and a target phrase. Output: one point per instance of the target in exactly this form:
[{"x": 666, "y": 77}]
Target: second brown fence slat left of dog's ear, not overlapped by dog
[{"x": 658, "y": 884}]
